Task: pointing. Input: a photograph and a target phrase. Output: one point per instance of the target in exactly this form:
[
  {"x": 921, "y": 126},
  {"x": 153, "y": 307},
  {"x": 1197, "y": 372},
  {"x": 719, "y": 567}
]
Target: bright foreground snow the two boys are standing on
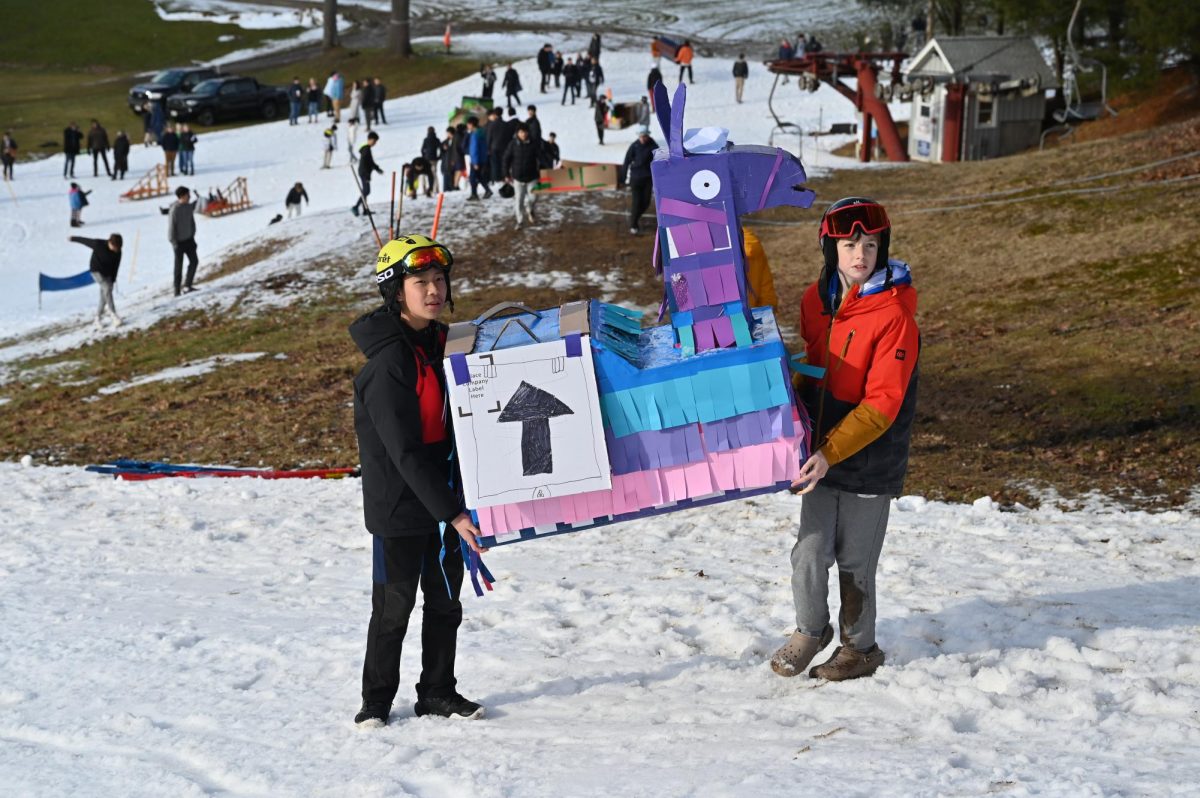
[{"x": 202, "y": 637}]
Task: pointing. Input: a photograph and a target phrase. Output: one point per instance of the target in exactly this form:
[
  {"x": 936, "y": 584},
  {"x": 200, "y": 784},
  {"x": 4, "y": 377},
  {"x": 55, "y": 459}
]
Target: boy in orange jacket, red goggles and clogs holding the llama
[{"x": 859, "y": 326}]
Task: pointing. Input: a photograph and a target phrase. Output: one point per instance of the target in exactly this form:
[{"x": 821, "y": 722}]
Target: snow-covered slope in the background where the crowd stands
[{"x": 34, "y": 219}]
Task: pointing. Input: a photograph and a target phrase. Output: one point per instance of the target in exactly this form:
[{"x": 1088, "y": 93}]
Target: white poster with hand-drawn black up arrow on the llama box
[{"x": 527, "y": 424}]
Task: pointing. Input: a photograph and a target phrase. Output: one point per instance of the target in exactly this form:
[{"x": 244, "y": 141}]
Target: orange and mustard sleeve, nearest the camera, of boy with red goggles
[{"x": 887, "y": 381}]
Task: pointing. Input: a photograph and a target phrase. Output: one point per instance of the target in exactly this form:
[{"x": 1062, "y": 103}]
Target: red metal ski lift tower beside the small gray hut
[{"x": 869, "y": 97}]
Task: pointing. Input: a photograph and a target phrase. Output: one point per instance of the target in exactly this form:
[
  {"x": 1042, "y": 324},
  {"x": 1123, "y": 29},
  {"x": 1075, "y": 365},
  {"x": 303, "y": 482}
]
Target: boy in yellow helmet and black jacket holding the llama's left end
[{"x": 411, "y": 506}]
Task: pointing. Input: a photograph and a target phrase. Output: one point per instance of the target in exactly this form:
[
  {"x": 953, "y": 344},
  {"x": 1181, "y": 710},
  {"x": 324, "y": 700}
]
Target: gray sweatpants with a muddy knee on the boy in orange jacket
[{"x": 844, "y": 529}]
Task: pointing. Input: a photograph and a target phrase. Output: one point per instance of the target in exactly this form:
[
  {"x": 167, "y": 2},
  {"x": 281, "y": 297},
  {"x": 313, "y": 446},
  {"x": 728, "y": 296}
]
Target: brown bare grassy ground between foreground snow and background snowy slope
[{"x": 1061, "y": 332}]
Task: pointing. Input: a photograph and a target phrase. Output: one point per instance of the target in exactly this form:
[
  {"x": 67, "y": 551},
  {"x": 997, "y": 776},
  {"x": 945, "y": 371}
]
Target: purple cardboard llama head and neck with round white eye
[{"x": 700, "y": 195}]
